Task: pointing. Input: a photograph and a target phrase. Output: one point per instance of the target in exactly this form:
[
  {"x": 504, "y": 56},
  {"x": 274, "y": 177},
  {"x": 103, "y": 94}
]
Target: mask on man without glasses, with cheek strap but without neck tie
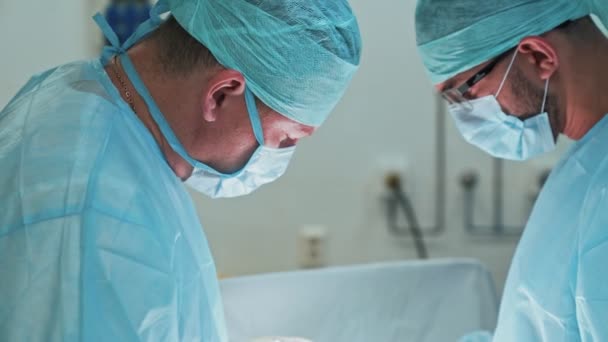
[{"x": 265, "y": 166}]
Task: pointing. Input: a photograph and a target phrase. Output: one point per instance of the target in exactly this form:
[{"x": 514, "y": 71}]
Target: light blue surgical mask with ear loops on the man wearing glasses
[{"x": 504, "y": 136}]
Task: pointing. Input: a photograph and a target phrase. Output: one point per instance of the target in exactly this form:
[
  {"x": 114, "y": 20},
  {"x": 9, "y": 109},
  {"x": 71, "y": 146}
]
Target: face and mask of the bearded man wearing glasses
[{"x": 504, "y": 109}]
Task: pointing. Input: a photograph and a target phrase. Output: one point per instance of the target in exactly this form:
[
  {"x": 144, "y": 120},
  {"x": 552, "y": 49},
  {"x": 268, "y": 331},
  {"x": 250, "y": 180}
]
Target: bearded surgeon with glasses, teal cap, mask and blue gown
[{"x": 516, "y": 74}]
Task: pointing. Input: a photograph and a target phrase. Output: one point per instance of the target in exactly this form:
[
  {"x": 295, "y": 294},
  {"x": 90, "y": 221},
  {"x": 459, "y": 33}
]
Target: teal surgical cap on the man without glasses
[{"x": 297, "y": 56}]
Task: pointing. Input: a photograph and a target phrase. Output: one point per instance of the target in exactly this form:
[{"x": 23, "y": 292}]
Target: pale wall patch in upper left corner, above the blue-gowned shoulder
[{"x": 37, "y": 35}]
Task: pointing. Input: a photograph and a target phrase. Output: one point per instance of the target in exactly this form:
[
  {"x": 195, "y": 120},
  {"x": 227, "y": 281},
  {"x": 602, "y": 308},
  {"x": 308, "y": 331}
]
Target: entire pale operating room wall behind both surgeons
[{"x": 385, "y": 120}]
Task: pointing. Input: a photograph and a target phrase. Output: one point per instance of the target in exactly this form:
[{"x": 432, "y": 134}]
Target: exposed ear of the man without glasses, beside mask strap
[{"x": 223, "y": 84}]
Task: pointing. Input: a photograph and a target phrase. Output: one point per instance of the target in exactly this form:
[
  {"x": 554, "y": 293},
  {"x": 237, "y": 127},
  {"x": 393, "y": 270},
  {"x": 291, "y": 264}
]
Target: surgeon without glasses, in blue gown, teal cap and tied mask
[{"x": 99, "y": 240}]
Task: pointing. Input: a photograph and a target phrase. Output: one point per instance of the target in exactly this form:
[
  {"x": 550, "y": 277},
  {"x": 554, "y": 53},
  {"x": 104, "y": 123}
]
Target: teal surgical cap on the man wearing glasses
[{"x": 454, "y": 36}]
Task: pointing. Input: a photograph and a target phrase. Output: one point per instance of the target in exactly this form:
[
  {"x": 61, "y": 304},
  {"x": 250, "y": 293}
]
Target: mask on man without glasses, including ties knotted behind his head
[{"x": 265, "y": 164}]
